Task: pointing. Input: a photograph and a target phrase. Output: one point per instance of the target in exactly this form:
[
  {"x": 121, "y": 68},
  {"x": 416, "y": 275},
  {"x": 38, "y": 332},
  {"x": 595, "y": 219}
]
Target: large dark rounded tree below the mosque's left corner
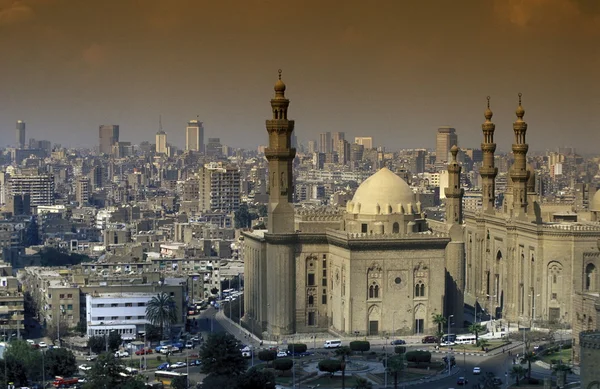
[{"x": 220, "y": 355}]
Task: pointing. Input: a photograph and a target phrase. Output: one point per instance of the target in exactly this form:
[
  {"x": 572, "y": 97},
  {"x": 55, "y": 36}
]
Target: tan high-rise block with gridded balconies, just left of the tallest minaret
[{"x": 219, "y": 187}]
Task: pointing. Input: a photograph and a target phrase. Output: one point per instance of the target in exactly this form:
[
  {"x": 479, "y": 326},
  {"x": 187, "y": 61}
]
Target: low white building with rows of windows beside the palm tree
[{"x": 125, "y": 313}]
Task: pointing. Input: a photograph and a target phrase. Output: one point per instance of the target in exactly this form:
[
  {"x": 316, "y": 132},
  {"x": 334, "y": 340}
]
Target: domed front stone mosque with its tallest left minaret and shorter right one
[{"x": 374, "y": 268}]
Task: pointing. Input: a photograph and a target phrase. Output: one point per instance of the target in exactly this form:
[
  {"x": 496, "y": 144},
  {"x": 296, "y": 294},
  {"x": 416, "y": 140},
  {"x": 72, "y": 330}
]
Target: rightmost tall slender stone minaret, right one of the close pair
[{"x": 518, "y": 172}]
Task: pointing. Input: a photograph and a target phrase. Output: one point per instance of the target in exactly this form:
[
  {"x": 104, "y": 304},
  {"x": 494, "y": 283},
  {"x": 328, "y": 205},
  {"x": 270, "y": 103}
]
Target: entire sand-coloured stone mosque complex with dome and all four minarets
[{"x": 379, "y": 266}]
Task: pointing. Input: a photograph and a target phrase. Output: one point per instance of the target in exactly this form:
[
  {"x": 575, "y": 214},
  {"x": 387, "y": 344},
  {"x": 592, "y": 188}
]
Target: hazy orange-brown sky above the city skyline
[{"x": 392, "y": 69}]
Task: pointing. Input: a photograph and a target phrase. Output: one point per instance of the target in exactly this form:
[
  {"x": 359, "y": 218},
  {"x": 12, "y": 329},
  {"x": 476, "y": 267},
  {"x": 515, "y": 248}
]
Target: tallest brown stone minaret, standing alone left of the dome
[{"x": 280, "y": 155}]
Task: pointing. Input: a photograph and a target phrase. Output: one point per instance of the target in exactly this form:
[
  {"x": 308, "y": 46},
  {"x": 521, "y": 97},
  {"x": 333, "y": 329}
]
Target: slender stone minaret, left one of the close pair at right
[{"x": 488, "y": 171}]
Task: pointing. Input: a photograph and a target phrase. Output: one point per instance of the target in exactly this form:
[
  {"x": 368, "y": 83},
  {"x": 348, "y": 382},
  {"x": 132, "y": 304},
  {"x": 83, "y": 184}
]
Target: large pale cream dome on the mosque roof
[{"x": 381, "y": 193}]
